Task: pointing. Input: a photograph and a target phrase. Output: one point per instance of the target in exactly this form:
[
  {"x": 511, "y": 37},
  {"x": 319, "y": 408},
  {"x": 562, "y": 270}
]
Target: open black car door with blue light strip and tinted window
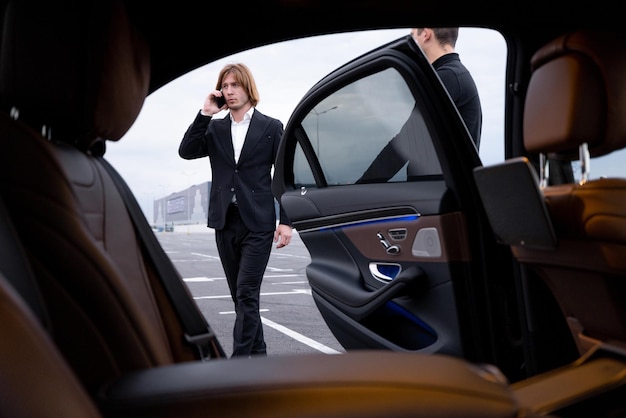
[{"x": 398, "y": 243}]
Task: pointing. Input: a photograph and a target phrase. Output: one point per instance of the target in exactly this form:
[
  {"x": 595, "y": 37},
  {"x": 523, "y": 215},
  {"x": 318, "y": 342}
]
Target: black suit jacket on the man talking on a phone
[{"x": 249, "y": 178}]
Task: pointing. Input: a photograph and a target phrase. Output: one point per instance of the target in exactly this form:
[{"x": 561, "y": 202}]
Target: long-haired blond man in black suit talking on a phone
[{"x": 242, "y": 148}]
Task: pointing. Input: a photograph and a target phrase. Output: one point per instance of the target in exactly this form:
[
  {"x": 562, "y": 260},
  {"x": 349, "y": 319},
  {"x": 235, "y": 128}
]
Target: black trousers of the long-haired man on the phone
[{"x": 244, "y": 255}]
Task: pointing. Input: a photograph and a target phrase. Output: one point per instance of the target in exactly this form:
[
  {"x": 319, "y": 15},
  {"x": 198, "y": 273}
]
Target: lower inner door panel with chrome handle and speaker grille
[{"x": 417, "y": 295}]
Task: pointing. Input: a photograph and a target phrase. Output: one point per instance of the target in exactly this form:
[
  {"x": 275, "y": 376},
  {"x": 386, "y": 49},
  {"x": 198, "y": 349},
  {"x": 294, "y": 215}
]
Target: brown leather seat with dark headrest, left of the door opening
[{"x": 70, "y": 217}]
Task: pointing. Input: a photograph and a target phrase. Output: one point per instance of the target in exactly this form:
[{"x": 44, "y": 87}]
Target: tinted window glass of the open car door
[{"x": 351, "y": 127}]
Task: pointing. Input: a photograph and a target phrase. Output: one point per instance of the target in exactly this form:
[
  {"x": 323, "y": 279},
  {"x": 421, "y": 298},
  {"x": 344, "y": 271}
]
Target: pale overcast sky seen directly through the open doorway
[{"x": 147, "y": 157}]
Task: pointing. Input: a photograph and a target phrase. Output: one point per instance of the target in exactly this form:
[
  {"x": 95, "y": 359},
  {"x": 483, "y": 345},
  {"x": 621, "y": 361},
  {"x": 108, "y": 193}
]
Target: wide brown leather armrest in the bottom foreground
[{"x": 363, "y": 383}]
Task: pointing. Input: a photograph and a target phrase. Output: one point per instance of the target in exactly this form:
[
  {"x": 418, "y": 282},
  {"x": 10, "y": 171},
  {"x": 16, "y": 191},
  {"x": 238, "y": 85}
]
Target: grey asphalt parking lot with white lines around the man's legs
[{"x": 291, "y": 322}]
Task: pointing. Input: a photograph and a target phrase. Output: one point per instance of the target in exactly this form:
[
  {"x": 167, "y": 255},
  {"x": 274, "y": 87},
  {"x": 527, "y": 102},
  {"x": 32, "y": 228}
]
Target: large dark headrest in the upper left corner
[{"x": 77, "y": 68}]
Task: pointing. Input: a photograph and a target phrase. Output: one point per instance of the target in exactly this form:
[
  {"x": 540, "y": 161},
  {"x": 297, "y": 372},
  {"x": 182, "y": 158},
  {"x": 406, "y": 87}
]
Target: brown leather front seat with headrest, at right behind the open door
[{"x": 574, "y": 110}]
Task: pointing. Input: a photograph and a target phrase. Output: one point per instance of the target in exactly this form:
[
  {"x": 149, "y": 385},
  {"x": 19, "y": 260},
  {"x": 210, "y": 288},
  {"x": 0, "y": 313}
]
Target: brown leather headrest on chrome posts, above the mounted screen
[{"x": 576, "y": 95}]
